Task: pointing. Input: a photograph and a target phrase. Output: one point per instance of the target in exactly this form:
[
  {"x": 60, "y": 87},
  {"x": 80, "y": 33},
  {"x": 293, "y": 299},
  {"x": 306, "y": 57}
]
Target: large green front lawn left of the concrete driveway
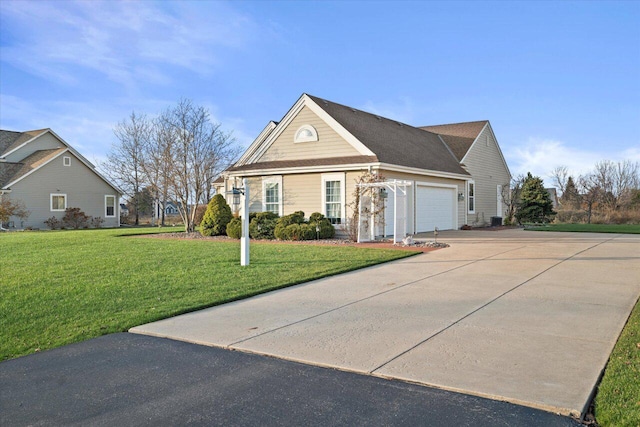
[{"x": 61, "y": 287}]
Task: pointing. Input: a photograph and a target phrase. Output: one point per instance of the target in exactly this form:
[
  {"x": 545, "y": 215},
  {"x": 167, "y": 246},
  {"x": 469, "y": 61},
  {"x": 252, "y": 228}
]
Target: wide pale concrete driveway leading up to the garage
[{"x": 526, "y": 317}]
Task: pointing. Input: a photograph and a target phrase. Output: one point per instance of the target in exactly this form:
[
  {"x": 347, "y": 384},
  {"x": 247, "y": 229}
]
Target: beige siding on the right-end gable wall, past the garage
[{"x": 484, "y": 163}]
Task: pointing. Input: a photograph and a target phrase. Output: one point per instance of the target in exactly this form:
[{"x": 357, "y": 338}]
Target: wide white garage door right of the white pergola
[{"x": 435, "y": 207}]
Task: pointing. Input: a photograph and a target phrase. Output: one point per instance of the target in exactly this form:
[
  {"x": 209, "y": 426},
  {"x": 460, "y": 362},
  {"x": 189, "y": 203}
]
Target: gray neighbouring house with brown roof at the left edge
[{"x": 48, "y": 175}]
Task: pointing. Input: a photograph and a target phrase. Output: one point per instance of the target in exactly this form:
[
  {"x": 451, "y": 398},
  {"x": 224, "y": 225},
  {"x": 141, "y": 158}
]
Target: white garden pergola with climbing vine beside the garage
[{"x": 399, "y": 190}]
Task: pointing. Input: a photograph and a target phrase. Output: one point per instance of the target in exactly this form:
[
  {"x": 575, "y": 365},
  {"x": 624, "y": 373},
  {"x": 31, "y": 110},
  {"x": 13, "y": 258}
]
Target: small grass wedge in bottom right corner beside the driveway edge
[{"x": 618, "y": 399}]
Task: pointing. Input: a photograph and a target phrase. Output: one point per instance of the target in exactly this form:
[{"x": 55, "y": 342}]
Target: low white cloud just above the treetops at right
[{"x": 540, "y": 156}]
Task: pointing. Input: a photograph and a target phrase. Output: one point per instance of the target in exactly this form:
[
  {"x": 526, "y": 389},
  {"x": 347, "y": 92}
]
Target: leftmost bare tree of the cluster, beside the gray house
[{"x": 125, "y": 158}]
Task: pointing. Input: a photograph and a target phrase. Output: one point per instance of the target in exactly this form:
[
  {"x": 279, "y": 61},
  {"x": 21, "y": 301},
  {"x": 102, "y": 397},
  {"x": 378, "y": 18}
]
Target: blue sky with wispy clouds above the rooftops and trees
[{"x": 559, "y": 81}]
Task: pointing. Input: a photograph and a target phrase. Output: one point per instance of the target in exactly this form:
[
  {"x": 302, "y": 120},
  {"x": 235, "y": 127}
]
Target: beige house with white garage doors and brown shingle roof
[{"x": 452, "y": 174}]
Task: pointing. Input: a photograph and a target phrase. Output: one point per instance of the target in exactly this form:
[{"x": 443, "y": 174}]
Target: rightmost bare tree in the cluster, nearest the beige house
[{"x": 199, "y": 147}]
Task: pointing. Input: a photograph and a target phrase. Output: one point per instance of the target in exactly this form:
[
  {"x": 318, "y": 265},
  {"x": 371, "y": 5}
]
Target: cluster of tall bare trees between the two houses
[{"x": 176, "y": 155}]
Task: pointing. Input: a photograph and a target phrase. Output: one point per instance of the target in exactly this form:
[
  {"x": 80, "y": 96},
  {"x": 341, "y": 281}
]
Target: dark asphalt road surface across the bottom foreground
[{"x": 126, "y": 379}]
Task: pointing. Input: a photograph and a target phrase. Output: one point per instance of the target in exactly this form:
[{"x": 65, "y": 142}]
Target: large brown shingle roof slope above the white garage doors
[{"x": 394, "y": 142}]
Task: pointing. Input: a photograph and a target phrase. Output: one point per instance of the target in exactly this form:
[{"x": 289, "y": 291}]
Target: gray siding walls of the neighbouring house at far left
[{"x": 84, "y": 190}]
